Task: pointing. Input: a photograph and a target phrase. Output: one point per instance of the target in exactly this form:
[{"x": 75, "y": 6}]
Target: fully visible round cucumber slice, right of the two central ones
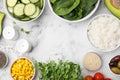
[{"x": 30, "y": 9}]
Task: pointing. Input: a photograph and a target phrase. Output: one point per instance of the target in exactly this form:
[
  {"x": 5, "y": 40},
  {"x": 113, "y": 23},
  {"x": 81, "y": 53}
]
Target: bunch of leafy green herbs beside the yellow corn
[{"x": 60, "y": 71}]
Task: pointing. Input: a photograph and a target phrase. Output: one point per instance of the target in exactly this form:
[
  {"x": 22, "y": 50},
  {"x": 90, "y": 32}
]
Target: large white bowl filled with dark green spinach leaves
[{"x": 73, "y": 10}]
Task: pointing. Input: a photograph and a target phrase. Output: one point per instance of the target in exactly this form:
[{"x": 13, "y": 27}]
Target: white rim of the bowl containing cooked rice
[{"x": 97, "y": 16}]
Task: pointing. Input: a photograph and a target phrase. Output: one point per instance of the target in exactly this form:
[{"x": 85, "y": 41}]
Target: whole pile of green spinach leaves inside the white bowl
[{"x": 73, "y": 9}]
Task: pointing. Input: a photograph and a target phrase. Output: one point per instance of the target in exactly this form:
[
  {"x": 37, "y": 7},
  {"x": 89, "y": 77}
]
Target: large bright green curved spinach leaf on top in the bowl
[{"x": 63, "y": 7}]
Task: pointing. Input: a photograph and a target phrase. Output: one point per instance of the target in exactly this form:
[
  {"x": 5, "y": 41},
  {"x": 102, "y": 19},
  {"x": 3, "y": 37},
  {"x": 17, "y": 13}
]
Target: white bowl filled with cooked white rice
[{"x": 104, "y": 32}]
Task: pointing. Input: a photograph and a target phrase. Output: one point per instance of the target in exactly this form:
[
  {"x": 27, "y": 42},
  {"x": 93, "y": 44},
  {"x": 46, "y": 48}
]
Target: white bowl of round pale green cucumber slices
[{"x": 24, "y": 10}]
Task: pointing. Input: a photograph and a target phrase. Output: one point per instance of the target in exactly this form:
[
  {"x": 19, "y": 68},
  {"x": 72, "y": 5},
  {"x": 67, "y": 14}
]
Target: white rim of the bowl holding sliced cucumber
[{"x": 17, "y": 20}]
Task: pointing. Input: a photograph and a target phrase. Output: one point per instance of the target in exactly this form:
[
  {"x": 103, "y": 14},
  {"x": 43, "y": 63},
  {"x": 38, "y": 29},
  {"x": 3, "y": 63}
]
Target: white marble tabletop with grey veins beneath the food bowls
[{"x": 53, "y": 39}]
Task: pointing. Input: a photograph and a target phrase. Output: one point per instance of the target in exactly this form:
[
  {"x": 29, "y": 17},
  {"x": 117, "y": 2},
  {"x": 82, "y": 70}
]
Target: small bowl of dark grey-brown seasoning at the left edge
[{"x": 3, "y": 60}]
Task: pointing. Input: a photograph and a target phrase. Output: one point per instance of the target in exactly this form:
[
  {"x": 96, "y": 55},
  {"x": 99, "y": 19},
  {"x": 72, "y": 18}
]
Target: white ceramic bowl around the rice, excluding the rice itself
[{"x": 89, "y": 27}]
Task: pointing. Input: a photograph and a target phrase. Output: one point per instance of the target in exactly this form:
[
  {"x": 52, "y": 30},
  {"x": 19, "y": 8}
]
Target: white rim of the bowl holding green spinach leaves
[{"x": 82, "y": 19}]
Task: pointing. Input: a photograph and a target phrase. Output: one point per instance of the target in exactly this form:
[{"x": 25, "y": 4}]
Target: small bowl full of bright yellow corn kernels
[{"x": 22, "y": 69}]
